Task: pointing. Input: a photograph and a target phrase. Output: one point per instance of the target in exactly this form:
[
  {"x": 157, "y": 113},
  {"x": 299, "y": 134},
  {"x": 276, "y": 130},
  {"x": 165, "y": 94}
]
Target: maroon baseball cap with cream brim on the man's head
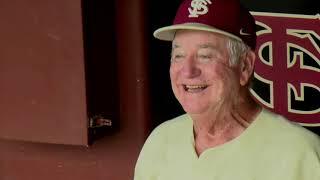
[{"x": 227, "y": 17}]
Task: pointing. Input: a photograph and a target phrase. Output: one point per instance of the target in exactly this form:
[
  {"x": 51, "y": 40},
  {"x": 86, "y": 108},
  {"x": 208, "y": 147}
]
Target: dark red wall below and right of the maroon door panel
[{"x": 112, "y": 157}]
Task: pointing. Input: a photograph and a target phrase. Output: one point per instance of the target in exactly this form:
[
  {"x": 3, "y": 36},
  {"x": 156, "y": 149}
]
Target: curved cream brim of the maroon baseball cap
[{"x": 167, "y": 33}]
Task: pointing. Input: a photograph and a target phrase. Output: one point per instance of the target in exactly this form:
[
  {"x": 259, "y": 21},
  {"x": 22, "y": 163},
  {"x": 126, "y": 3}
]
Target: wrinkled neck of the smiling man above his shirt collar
[{"x": 211, "y": 130}]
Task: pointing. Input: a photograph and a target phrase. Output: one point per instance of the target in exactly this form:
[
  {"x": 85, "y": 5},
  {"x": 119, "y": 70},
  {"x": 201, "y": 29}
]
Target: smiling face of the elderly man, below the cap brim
[{"x": 201, "y": 77}]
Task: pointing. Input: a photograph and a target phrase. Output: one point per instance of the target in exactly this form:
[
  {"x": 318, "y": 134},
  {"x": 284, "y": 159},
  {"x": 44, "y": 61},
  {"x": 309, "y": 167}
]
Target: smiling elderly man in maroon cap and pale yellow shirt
[{"x": 225, "y": 134}]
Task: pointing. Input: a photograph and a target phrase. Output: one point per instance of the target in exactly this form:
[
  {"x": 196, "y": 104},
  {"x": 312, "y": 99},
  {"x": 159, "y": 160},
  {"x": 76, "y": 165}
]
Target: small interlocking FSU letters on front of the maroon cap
[{"x": 198, "y": 7}]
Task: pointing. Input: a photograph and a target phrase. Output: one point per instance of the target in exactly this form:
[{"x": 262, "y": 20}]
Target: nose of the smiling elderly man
[{"x": 190, "y": 68}]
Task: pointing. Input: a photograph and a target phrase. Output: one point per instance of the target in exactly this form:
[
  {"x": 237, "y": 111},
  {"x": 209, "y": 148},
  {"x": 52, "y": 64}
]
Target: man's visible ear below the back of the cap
[{"x": 246, "y": 67}]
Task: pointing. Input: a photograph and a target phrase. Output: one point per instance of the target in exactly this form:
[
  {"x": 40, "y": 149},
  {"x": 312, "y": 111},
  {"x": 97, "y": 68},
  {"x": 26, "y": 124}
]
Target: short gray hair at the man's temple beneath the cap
[{"x": 236, "y": 50}]
